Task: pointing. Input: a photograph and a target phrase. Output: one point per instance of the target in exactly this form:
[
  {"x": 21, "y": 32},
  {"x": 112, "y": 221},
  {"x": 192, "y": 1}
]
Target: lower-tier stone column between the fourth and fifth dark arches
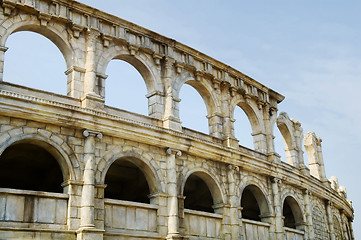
[{"x": 278, "y": 208}]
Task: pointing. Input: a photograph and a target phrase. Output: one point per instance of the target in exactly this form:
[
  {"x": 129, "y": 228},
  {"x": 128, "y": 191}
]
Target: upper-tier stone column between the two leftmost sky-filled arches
[{"x": 91, "y": 96}]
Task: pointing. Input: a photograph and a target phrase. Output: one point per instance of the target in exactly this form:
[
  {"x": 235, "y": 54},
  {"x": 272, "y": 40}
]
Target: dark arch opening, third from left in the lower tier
[{"x": 197, "y": 195}]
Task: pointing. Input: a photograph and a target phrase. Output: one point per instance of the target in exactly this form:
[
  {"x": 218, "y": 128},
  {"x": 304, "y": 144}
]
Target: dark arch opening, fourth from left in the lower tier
[{"x": 254, "y": 204}]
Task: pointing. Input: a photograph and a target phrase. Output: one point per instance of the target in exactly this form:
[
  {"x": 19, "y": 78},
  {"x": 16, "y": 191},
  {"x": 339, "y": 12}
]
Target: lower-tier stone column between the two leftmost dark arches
[{"x": 87, "y": 222}]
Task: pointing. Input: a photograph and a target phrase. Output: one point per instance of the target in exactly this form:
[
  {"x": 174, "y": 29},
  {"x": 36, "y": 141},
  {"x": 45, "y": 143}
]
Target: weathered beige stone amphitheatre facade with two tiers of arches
[{"x": 73, "y": 168}]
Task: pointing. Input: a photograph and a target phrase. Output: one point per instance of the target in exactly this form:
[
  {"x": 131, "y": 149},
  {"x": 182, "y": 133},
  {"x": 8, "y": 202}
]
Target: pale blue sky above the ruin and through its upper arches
[{"x": 309, "y": 51}]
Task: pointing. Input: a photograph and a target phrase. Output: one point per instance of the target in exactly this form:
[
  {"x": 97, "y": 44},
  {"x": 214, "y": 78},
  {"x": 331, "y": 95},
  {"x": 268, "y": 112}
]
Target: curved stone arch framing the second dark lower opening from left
[{"x": 142, "y": 162}]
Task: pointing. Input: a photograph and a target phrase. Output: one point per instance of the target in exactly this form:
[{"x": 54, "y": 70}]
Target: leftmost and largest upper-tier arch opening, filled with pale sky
[{"x": 39, "y": 49}]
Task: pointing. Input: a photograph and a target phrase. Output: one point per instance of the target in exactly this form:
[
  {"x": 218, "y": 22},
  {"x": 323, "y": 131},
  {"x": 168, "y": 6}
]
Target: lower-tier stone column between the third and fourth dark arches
[{"x": 235, "y": 219}]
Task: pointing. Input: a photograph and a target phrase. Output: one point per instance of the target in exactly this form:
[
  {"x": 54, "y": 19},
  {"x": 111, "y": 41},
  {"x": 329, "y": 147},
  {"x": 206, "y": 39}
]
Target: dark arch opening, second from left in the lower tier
[{"x": 126, "y": 181}]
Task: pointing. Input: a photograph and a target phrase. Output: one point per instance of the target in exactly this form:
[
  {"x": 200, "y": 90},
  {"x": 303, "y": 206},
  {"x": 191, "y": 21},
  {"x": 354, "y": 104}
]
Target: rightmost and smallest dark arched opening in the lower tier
[{"x": 292, "y": 213}]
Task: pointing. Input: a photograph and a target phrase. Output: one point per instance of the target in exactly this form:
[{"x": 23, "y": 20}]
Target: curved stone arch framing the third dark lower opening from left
[{"x": 211, "y": 181}]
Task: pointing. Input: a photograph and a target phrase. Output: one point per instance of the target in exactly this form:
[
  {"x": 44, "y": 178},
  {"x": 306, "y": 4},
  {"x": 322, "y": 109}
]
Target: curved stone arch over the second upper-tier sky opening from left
[{"x": 140, "y": 61}]
